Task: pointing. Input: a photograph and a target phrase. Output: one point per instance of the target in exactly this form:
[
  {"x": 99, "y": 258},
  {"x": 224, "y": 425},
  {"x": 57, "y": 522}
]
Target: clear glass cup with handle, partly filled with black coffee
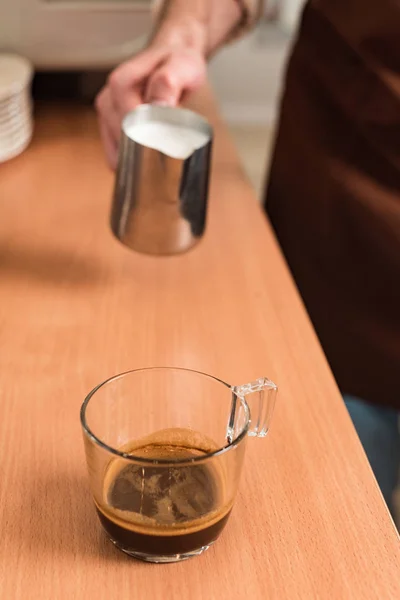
[{"x": 165, "y": 449}]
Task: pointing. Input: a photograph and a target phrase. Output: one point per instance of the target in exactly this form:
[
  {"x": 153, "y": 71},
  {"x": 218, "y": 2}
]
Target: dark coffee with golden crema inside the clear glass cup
[{"x": 165, "y": 509}]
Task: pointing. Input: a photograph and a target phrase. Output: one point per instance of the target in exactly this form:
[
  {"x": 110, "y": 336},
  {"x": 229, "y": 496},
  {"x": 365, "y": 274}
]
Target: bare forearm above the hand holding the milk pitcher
[{"x": 200, "y": 25}]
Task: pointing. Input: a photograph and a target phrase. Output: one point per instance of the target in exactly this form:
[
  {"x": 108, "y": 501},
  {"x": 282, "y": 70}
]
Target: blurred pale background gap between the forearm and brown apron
[{"x": 247, "y": 78}]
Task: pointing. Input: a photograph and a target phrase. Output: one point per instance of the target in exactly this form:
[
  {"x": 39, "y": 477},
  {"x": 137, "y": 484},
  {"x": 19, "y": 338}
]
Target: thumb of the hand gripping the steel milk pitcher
[{"x": 176, "y": 76}]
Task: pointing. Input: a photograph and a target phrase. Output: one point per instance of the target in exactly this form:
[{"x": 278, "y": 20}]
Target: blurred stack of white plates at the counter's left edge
[{"x": 16, "y": 123}]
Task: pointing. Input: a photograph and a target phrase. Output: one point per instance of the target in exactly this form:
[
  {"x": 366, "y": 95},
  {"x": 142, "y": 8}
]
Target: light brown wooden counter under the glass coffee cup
[{"x": 77, "y": 307}]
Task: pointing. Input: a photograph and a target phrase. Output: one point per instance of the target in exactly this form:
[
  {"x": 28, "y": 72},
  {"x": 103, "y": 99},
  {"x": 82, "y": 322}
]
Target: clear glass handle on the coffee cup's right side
[{"x": 260, "y": 397}]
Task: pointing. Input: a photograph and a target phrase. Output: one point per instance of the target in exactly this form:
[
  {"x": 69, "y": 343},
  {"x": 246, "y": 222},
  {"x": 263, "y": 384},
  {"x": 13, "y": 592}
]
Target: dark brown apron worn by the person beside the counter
[{"x": 334, "y": 189}]
